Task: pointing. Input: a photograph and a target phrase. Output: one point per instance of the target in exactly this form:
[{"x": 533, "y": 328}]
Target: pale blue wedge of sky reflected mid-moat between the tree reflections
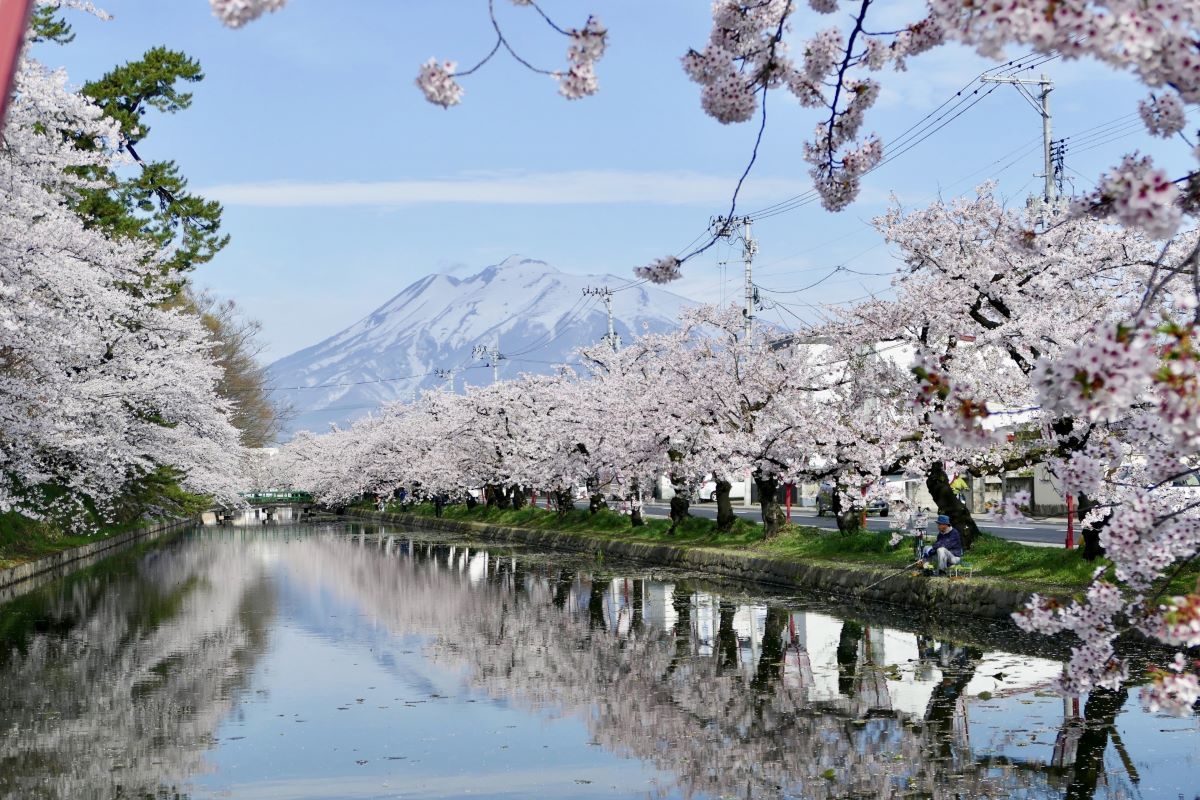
[{"x": 337, "y": 689}]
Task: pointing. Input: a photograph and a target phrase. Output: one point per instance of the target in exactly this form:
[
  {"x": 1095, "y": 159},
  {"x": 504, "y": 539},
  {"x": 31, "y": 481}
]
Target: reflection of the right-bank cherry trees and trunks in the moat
[{"x": 722, "y": 695}]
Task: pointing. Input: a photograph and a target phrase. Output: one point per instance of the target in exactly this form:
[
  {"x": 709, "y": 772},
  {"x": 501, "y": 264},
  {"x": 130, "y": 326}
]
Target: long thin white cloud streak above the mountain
[{"x": 525, "y": 189}]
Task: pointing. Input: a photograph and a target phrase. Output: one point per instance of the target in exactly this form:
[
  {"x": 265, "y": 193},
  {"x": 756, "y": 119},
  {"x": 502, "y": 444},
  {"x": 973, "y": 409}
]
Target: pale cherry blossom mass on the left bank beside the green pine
[{"x": 103, "y": 386}]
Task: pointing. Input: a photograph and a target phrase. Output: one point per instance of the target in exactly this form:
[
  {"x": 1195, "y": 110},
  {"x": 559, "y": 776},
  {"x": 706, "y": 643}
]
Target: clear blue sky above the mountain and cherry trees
[{"x": 343, "y": 185}]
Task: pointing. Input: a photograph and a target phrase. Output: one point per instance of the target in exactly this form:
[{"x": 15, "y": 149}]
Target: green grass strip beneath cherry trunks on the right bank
[{"x": 995, "y": 561}]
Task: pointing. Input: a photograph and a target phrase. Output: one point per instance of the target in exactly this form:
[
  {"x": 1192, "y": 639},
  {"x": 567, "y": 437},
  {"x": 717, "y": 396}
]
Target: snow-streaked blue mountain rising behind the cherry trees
[{"x": 536, "y": 315}]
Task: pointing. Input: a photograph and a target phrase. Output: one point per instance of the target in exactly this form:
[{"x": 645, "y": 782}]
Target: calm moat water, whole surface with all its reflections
[{"x": 365, "y": 661}]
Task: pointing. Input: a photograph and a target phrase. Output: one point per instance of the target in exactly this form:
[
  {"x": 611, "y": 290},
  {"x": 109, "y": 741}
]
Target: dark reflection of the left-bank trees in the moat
[{"x": 119, "y": 687}]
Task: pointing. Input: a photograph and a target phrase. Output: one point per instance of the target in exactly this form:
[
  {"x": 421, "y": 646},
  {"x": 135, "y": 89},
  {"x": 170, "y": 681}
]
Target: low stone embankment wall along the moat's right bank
[{"x": 973, "y": 597}]
